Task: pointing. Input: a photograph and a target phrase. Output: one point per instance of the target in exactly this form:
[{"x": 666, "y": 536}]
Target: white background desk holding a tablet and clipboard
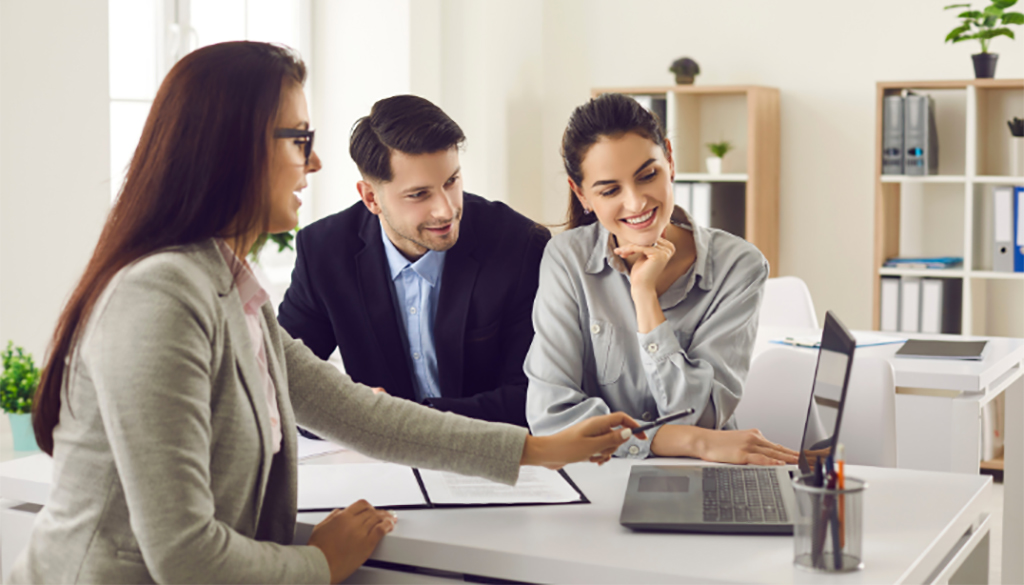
[{"x": 938, "y": 420}]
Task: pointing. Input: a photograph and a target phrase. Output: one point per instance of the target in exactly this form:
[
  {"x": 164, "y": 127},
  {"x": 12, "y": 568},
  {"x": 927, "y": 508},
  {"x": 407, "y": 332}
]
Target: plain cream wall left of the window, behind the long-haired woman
[{"x": 55, "y": 158}]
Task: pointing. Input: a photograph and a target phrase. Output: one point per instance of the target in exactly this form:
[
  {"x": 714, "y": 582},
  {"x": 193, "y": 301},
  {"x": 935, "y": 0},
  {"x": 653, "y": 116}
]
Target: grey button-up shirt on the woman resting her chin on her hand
[{"x": 588, "y": 359}]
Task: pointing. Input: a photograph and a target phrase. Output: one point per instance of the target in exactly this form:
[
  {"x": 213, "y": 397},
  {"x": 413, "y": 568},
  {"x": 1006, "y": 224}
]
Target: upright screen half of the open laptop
[{"x": 828, "y": 394}]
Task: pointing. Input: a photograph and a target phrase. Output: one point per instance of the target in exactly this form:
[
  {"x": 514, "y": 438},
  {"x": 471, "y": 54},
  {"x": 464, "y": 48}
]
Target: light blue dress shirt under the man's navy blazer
[{"x": 417, "y": 287}]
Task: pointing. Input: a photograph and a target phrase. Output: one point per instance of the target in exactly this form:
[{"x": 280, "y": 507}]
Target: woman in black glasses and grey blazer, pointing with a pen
[{"x": 170, "y": 396}]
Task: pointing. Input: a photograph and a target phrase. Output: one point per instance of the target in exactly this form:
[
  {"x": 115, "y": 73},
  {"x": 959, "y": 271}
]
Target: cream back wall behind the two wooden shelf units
[{"x": 825, "y": 58}]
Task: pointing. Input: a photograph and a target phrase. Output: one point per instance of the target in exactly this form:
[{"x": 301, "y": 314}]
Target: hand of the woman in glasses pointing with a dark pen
[{"x": 594, "y": 440}]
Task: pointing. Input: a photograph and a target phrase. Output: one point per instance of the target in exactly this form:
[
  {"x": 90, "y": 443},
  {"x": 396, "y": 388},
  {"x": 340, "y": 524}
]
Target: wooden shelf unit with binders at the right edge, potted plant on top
[{"x": 984, "y": 105}]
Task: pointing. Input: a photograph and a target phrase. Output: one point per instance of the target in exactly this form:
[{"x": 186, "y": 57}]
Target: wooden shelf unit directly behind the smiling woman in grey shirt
[{"x": 748, "y": 116}]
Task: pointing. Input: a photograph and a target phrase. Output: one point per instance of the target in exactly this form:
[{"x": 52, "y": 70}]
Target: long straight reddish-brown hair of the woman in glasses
[{"x": 200, "y": 171}]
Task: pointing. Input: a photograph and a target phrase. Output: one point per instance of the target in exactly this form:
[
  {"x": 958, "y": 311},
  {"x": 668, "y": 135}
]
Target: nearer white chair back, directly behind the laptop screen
[{"x": 779, "y": 391}]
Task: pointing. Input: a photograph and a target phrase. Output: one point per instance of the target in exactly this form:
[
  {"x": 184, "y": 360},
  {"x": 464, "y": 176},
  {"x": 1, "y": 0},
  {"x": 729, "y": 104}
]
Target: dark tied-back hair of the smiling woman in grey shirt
[{"x": 608, "y": 115}]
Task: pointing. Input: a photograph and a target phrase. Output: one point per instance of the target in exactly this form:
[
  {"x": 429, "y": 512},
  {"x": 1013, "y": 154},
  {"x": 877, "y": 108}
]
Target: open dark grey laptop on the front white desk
[{"x": 746, "y": 499}]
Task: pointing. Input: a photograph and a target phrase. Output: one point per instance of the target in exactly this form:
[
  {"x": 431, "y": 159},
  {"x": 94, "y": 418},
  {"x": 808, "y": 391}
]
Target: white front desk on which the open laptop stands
[{"x": 919, "y": 527}]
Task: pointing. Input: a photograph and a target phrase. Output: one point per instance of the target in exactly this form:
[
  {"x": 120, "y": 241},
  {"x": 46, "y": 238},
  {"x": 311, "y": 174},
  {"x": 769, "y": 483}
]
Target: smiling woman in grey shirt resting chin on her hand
[{"x": 639, "y": 309}]
